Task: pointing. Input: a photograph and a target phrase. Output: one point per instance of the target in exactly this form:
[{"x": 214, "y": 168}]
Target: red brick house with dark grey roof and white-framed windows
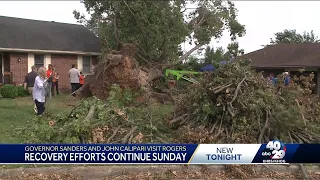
[{"x": 24, "y": 43}]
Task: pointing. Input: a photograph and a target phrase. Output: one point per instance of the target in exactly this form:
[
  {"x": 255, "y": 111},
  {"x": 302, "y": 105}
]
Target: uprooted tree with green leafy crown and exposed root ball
[{"x": 155, "y": 29}]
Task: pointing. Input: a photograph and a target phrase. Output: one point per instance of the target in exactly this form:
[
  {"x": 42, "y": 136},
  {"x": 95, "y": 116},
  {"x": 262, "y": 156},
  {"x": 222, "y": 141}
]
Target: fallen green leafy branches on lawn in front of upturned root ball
[{"x": 108, "y": 116}]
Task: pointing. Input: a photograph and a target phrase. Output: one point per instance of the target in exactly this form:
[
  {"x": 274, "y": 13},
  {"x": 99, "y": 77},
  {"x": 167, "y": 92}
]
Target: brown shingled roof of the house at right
[{"x": 286, "y": 55}]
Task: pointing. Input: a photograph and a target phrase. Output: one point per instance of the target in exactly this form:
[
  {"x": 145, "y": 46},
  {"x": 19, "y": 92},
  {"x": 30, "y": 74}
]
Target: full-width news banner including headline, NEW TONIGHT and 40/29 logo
[{"x": 274, "y": 152}]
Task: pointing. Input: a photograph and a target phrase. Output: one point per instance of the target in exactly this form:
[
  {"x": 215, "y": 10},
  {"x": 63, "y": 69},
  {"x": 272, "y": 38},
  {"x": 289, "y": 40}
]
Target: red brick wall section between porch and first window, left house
[{"x": 18, "y": 69}]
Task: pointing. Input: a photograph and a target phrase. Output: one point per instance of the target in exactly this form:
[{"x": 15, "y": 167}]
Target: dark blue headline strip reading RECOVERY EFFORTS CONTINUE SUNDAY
[{"x": 96, "y": 153}]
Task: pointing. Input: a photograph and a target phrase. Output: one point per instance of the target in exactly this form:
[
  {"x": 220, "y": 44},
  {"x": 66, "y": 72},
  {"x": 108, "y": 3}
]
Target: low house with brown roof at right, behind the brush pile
[{"x": 288, "y": 57}]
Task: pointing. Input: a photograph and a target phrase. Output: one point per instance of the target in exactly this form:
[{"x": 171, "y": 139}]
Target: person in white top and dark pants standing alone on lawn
[{"x": 39, "y": 89}]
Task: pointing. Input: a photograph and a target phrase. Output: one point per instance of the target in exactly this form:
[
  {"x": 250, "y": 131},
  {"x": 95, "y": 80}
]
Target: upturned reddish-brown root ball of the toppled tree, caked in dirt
[{"x": 118, "y": 68}]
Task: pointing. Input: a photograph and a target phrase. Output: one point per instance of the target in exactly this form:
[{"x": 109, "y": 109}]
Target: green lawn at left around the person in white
[{"x": 15, "y": 113}]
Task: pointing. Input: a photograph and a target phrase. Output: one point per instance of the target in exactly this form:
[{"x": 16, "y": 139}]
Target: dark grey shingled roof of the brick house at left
[{"x": 28, "y": 34}]
